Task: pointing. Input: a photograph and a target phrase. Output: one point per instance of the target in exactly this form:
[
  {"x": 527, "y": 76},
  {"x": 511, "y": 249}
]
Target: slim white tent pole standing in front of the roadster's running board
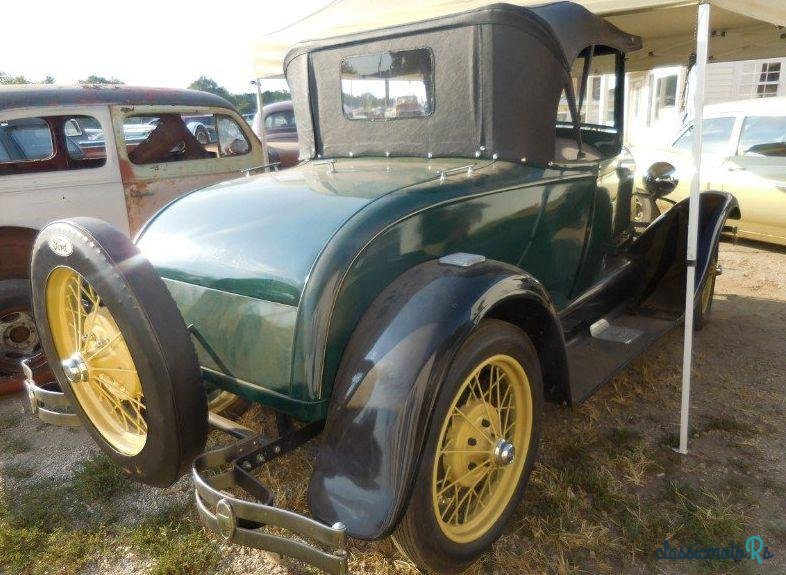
[{"x": 702, "y": 49}]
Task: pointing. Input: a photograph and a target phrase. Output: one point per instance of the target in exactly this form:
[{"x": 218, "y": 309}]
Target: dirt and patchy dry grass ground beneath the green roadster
[{"x": 607, "y": 492}]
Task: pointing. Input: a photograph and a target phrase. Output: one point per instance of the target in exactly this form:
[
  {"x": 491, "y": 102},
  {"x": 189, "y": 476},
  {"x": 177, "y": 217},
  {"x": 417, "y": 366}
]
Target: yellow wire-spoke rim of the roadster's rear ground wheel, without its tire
[{"x": 482, "y": 449}]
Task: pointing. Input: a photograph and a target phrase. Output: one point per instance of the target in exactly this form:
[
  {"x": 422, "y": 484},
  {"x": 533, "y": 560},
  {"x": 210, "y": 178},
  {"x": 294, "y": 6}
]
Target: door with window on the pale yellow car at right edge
[{"x": 756, "y": 176}]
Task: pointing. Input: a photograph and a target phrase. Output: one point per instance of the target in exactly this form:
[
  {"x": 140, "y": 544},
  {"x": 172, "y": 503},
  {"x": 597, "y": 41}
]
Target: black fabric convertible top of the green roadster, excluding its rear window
[{"x": 498, "y": 74}]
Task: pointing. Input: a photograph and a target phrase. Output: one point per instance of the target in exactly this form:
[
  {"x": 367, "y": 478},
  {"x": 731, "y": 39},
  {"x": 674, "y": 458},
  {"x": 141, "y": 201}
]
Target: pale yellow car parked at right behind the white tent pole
[{"x": 744, "y": 154}]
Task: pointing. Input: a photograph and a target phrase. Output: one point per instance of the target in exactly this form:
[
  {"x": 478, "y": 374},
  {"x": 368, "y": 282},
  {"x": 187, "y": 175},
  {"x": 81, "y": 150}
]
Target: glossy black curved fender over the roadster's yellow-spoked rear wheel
[{"x": 388, "y": 382}]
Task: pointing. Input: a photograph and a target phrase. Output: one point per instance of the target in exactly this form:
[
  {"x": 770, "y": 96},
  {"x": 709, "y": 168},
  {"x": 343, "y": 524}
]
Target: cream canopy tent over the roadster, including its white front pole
[{"x": 671, "y": 30}]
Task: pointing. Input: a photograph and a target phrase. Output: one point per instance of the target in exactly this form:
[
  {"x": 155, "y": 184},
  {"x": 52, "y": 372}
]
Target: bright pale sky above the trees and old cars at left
[{"x": 149, "y": 43}]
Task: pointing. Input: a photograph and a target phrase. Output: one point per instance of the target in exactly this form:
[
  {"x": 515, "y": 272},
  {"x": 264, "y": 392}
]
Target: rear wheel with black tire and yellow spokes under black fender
[{"x": 479, "y": 452}]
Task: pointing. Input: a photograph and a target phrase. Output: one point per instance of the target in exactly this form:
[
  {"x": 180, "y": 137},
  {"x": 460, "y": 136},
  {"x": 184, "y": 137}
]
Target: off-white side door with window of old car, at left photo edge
[{"x": 51, "y": 167}]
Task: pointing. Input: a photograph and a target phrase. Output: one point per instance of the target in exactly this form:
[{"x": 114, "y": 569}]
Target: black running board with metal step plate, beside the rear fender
[{"x": 597, "y": 355}]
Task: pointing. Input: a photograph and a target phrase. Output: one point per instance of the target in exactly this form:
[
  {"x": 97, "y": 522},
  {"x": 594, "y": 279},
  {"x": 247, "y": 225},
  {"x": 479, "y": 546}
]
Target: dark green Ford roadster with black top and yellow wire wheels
[{"x": 454, "y": 249}]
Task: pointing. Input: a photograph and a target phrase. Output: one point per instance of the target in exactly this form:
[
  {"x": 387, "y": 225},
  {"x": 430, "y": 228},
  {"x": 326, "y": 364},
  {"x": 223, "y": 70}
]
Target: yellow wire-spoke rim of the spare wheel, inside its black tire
[{"x": 96, "y": 361}]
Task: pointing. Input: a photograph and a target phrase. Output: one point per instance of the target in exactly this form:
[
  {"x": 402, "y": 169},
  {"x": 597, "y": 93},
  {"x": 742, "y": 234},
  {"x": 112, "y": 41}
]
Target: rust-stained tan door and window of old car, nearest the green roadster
[{"x": 167, "y": 151}]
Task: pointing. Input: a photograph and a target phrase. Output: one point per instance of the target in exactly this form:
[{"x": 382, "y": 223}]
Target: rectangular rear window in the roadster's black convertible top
[{"x": 388, "y": 85}]
